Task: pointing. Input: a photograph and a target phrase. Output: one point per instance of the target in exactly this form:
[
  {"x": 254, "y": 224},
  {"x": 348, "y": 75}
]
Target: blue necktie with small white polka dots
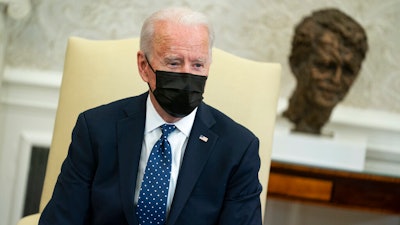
[{"x": 152, "y": 203}]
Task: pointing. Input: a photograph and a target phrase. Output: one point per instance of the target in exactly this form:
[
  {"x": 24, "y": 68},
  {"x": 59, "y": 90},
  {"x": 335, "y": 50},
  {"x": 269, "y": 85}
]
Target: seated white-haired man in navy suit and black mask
[{"x": 209, "y": 162}]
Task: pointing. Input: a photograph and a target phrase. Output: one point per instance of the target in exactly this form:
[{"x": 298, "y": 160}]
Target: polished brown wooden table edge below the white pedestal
[{"x": 334, "y": 187}]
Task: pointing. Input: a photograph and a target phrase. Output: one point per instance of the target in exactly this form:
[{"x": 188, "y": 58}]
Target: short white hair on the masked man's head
[{"x": 181, "y": 15}]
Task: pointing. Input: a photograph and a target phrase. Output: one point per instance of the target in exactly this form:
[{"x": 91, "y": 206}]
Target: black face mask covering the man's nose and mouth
[{"x": 178, "y": 93}]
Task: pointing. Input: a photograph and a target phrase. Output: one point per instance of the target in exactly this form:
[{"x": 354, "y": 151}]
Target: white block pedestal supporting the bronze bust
[{"x": 341, "y": 151}]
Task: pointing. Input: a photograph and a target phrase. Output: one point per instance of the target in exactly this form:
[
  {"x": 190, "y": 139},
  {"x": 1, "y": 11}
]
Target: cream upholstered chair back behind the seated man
[{"x": 98, "y": 72}]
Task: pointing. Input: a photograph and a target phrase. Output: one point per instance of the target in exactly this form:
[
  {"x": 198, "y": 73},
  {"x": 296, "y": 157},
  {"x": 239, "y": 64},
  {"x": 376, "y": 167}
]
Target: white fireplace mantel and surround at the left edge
[{"x": 28, "y": 102}]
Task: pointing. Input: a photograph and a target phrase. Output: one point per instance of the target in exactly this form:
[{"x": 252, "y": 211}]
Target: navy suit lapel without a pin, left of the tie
[{"x": 130, "y": 138}]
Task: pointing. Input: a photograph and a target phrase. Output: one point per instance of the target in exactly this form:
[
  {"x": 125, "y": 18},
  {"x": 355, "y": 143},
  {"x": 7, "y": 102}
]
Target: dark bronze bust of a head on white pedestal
[{"x": 328, "y": 48}]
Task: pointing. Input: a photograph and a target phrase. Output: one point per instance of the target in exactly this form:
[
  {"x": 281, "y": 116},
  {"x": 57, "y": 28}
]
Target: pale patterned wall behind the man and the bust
[{"x": 258, "y": 29}]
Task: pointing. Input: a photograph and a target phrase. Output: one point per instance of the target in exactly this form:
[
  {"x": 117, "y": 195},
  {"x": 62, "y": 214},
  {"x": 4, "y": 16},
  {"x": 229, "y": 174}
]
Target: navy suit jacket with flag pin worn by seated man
[{"x": 217, "y": 184}]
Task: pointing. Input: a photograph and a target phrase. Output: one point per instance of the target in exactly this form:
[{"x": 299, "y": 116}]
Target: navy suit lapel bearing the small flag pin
[{"x": 197, "y": 152}]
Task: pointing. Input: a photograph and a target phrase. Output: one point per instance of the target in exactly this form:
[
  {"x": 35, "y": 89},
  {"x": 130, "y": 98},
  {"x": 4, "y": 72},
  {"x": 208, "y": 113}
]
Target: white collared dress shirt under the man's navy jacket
[{"x": 178, "y": 140}]
